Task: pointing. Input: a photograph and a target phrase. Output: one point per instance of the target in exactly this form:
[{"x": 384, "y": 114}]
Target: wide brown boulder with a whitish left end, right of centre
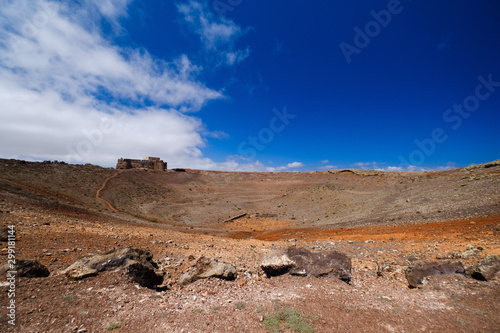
[{"x": 302, "y": 262}]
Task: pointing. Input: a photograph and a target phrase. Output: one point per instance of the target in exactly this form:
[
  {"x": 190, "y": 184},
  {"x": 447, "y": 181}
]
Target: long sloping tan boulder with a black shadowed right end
[{"x": 137, "y": 264}]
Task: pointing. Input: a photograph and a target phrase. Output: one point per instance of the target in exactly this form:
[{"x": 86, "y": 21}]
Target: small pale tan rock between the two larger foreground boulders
[{"x": 206, "y": 268}]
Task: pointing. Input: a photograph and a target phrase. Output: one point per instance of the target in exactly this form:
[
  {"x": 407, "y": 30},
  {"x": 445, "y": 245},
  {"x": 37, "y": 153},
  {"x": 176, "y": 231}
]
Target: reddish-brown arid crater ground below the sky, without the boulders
[{"x": 384, "y": 221}]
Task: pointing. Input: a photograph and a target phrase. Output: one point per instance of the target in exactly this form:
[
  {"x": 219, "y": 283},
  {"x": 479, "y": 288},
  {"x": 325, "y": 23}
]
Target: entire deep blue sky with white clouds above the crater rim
[{"x": 252, "y": 85}]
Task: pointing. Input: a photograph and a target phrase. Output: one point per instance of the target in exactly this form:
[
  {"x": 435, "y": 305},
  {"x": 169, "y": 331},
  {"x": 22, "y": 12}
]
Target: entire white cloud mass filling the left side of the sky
[{"x": 67, "y": 93}]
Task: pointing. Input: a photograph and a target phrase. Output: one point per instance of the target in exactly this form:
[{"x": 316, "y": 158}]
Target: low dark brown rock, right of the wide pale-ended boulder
[{"x": 418, "y": 272}]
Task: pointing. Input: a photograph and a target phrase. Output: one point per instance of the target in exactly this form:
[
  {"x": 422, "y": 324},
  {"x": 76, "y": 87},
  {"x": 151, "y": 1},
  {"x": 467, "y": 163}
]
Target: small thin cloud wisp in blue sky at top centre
[{"x": 217, "y": 33}]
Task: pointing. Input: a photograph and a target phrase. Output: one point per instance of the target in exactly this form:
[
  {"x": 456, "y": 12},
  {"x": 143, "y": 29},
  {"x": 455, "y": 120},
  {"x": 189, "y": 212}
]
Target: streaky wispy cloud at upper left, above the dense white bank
[{"x": 80, "y": 64}]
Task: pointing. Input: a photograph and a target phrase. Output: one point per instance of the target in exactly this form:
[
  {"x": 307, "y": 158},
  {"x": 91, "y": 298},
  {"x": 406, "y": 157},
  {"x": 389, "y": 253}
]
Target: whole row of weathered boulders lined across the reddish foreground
[{"x": 140, "y": 267}]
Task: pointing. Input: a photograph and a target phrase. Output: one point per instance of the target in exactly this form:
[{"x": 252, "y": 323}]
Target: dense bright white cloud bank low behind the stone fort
[{"x": 42, "y": 125}]
